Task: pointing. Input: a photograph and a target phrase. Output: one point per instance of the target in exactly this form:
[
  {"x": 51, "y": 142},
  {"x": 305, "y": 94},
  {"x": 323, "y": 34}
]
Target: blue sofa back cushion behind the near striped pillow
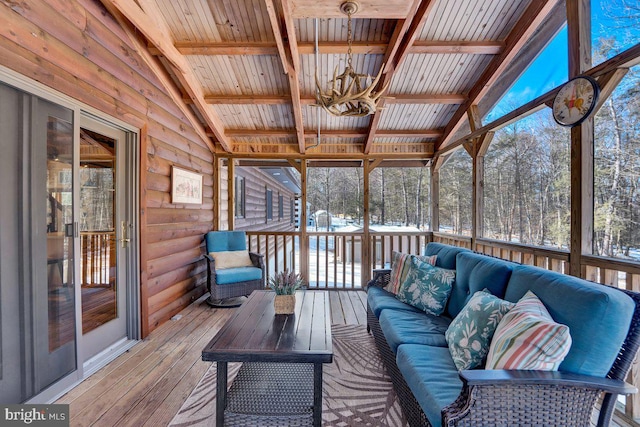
[{"x": 588, "y": 309}]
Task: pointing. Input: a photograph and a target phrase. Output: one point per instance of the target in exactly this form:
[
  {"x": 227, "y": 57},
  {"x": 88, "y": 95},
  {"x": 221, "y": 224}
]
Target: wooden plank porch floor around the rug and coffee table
[{"x": 148, "y": 384}]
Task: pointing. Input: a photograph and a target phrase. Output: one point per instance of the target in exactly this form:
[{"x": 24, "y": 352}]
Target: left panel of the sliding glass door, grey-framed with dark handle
[{"x": 37, "y": 305}]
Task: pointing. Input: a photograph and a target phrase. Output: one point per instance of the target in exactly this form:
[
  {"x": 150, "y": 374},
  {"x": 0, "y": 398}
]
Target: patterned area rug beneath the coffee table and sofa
[{"x": 357, "y": 390}]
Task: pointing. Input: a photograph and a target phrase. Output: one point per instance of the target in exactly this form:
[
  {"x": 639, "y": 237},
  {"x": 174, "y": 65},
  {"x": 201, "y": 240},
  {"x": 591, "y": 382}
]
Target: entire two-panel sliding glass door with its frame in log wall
[{"x": 68, "y": 247}]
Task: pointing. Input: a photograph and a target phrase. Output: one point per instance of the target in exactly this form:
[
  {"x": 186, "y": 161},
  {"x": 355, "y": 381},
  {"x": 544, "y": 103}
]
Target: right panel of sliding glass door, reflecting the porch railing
[{"x": 103, "y": 289}]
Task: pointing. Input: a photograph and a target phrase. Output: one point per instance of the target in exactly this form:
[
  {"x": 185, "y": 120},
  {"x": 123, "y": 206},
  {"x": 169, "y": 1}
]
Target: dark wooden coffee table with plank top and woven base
[{"x": 256, "y": 334}]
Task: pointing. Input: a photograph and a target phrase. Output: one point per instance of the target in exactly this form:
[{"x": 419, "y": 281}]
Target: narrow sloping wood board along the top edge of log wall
[{"x": 159, "y": 71}]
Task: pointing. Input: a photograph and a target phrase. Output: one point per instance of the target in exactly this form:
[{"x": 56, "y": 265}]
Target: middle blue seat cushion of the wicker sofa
[{"x": 411, "y": 327}]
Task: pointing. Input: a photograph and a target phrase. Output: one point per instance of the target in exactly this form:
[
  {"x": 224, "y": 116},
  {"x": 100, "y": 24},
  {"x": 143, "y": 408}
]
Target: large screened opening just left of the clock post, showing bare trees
[{"x": 527, "y": 183}]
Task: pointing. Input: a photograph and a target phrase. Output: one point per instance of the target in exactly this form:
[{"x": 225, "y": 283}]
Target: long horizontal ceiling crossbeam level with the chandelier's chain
[{"x": 336, "y": 47}]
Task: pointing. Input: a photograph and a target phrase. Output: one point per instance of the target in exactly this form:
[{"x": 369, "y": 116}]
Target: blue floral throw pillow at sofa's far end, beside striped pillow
[{"x": 426, "y": 287}]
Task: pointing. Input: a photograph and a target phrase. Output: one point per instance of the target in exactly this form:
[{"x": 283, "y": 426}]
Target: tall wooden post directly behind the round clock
[{"x": 579, "y": 29}]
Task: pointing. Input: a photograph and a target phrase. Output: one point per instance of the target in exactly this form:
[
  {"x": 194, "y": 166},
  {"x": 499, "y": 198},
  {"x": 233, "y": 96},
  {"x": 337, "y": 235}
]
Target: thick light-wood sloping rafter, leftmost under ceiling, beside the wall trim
[{"x": 149, "y": 22}]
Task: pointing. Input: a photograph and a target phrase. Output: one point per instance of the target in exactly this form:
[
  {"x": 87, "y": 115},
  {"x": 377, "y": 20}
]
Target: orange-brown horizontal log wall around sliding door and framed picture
[{"x": 77, "y": 48}]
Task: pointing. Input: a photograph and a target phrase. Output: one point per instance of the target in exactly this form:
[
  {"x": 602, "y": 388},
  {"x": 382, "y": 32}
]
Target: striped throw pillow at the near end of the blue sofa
[{"x": 527, "y": 338}]
